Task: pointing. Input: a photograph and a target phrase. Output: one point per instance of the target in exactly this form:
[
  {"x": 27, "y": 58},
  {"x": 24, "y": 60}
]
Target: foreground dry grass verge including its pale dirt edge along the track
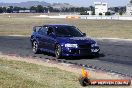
[{"x": 29, "y": 73}]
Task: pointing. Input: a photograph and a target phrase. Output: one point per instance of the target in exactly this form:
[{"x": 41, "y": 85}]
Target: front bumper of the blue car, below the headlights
[{"x": 80, "y": 51}]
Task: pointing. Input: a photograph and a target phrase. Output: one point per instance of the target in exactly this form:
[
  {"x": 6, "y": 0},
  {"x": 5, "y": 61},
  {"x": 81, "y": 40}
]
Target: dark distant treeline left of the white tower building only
[{"x": 41, "y": 9}]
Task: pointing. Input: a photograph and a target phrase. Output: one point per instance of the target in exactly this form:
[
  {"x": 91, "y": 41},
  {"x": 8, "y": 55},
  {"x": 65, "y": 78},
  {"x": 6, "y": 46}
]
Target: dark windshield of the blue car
[{"x": 68, "y": 31}]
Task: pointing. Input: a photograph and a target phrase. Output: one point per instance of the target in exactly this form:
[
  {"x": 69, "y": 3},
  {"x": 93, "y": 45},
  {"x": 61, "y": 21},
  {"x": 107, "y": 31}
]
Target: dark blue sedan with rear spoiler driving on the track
[{"x": 62, "y": 40}]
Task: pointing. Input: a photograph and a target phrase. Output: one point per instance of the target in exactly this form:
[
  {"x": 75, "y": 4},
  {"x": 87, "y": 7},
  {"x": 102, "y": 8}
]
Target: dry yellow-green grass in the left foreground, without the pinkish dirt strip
[{"x": 16, "y": 74}]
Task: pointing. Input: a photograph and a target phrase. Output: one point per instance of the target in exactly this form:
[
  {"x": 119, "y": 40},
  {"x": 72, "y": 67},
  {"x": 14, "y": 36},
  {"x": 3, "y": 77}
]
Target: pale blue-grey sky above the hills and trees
[{"x": 77, "y": 2}]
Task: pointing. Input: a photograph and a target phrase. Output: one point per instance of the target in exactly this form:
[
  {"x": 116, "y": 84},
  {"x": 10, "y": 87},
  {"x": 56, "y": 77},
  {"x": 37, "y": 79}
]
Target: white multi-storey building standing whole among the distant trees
[{"x": 100, "y": 8}]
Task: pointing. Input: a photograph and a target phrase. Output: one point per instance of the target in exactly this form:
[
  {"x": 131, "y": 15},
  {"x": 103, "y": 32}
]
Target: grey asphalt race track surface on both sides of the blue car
[{"x": 115, "y": 56}]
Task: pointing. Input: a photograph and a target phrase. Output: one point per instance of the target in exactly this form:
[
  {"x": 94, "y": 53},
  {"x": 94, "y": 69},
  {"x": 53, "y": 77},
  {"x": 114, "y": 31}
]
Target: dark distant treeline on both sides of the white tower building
[{"x": 42, "y": 9}]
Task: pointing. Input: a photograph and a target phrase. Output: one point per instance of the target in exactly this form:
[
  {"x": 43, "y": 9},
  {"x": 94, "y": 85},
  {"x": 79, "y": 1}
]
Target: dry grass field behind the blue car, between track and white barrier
[{"x": 21, "y": 24}]
